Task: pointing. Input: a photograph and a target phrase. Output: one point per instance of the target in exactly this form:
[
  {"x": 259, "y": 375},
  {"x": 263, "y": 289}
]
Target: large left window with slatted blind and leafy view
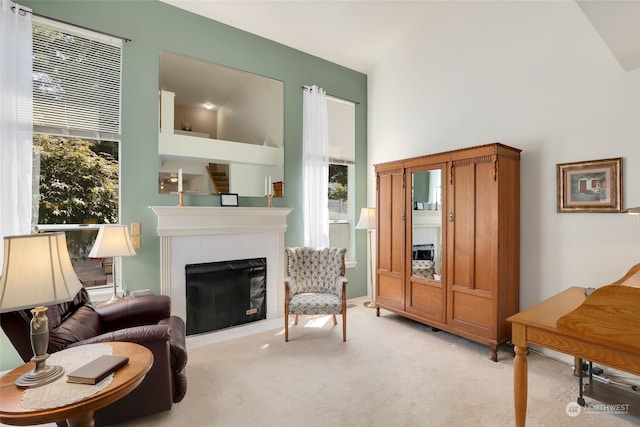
[{"x": 76, "y": 125}]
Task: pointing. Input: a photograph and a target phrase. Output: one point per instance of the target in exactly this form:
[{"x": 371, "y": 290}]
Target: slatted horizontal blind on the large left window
[{"x": 76, "y": 82}]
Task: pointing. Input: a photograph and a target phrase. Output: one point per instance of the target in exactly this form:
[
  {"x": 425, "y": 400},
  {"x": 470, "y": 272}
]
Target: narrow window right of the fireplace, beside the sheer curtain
[{"x": 341, "y": 119}]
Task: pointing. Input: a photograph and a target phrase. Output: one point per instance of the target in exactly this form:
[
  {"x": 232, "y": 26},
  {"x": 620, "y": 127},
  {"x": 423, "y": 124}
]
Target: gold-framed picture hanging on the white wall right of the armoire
[{"x": 590, "y": 186}]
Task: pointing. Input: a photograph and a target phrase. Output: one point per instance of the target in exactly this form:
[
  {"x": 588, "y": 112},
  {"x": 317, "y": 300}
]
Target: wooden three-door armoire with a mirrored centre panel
[{"x": 448, "y": 234}]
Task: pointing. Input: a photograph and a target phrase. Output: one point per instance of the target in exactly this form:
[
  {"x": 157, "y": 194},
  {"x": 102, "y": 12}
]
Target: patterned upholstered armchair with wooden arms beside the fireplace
[{"x": 315, "y": 284}]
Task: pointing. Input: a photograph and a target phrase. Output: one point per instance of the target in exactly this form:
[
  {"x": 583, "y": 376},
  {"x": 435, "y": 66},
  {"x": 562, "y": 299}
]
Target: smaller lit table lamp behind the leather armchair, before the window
[{"x": 113, "y": 241}]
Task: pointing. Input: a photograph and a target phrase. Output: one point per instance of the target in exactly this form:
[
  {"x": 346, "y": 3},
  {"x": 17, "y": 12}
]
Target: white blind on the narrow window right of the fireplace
[{"x": 342, "y": 120}]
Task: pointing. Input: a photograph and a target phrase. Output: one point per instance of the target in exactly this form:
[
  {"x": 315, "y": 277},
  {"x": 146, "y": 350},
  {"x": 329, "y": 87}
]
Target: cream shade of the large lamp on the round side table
[{"x": 37, "y": 271}]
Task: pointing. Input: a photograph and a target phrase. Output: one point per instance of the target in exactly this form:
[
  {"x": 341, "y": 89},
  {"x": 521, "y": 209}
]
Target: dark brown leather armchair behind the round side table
[{"x": 144, "y": 320}]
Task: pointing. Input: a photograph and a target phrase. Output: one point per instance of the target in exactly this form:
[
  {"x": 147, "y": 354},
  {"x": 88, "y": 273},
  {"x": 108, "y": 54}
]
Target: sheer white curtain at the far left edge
[{"x": 16, "y": 125}]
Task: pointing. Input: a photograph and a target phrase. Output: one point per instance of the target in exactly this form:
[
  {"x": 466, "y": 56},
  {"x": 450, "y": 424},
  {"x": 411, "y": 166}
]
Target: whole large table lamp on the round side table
[{"x": 37, "y": 272}]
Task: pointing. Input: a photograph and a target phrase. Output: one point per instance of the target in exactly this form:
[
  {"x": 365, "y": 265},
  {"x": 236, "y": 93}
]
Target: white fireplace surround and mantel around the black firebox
[{"x": 192, "y": 235}]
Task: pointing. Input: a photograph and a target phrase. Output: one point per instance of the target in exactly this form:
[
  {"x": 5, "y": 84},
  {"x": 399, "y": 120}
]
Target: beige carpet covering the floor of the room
[{"x": 390, "y": 372}]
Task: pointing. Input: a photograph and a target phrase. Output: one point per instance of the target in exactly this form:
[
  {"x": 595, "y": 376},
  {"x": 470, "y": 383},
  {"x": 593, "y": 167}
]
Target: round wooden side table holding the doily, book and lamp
[{"x": 80, "y": 413}]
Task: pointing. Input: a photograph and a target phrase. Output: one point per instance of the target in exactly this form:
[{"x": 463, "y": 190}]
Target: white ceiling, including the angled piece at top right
[{"x": 357, "y": 33}]
